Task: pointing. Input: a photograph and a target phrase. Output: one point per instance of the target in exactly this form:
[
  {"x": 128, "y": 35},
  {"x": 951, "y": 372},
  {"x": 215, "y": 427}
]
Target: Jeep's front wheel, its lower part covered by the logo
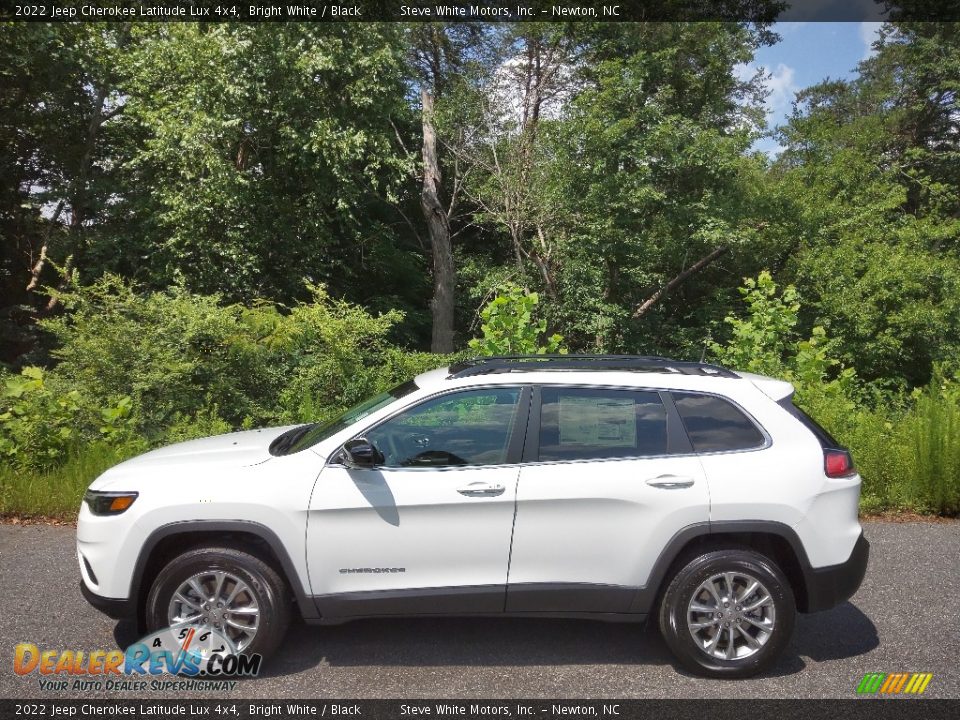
[{"x": 222, "y": 589}]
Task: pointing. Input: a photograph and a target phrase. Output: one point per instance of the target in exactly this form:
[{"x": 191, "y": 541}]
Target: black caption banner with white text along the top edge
[{"x": 477, "y": 11}]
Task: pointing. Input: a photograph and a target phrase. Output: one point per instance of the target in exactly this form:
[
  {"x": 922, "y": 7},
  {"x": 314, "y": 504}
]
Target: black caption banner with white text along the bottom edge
[{"x": 872, "y": 709}]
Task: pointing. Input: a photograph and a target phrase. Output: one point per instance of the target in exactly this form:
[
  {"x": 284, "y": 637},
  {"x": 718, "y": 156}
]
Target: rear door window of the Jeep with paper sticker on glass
[{"x": 590, "y": 424}]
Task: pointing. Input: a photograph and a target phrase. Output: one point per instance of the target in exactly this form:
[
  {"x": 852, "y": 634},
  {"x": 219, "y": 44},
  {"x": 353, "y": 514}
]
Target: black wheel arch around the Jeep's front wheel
[{"x": 168, "y": 541}]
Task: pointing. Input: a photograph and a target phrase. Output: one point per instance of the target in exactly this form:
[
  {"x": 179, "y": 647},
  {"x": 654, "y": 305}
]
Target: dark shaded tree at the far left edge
[{"x": 59, "y": 97}]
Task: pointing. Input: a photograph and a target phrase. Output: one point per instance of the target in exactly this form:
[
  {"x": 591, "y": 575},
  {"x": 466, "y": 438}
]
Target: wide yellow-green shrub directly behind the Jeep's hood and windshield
[{"x": 187, "y": 359}]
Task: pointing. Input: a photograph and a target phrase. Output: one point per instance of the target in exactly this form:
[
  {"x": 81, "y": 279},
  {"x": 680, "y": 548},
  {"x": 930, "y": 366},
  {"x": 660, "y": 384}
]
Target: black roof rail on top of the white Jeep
[{"x": 631, "y": 363}]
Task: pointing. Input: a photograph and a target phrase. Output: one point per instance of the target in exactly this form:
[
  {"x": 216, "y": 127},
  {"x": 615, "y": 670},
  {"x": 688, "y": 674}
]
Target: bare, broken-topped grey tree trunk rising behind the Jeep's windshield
[{"x": 444, "y": 273}]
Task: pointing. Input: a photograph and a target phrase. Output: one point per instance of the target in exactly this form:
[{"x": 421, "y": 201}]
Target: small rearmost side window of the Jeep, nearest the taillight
[{"x": 714, "y": 424}]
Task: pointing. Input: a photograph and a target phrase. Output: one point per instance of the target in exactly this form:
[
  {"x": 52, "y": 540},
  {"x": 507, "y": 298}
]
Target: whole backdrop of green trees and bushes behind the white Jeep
[{"x": 213, "y": 227}]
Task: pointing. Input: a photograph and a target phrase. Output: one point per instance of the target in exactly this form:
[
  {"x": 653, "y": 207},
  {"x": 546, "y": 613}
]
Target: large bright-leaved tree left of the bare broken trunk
[{"x": 265, "y": 156}]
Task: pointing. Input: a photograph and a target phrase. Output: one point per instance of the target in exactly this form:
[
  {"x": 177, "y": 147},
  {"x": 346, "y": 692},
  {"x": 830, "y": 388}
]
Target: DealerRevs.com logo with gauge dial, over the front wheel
[{"x": 202, "y": 659}]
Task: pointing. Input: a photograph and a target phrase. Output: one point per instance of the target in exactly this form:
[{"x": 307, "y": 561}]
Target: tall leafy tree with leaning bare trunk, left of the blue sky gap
[{"x": 649, "y": 168}]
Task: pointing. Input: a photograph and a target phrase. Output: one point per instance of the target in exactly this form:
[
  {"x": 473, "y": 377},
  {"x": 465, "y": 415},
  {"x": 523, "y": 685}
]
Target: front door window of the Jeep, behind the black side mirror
[{"x": 468, "y": 428}]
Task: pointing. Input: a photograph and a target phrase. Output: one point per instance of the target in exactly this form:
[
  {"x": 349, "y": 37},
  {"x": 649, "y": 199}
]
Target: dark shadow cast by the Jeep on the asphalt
[{"x": 839, "y": 633}]
